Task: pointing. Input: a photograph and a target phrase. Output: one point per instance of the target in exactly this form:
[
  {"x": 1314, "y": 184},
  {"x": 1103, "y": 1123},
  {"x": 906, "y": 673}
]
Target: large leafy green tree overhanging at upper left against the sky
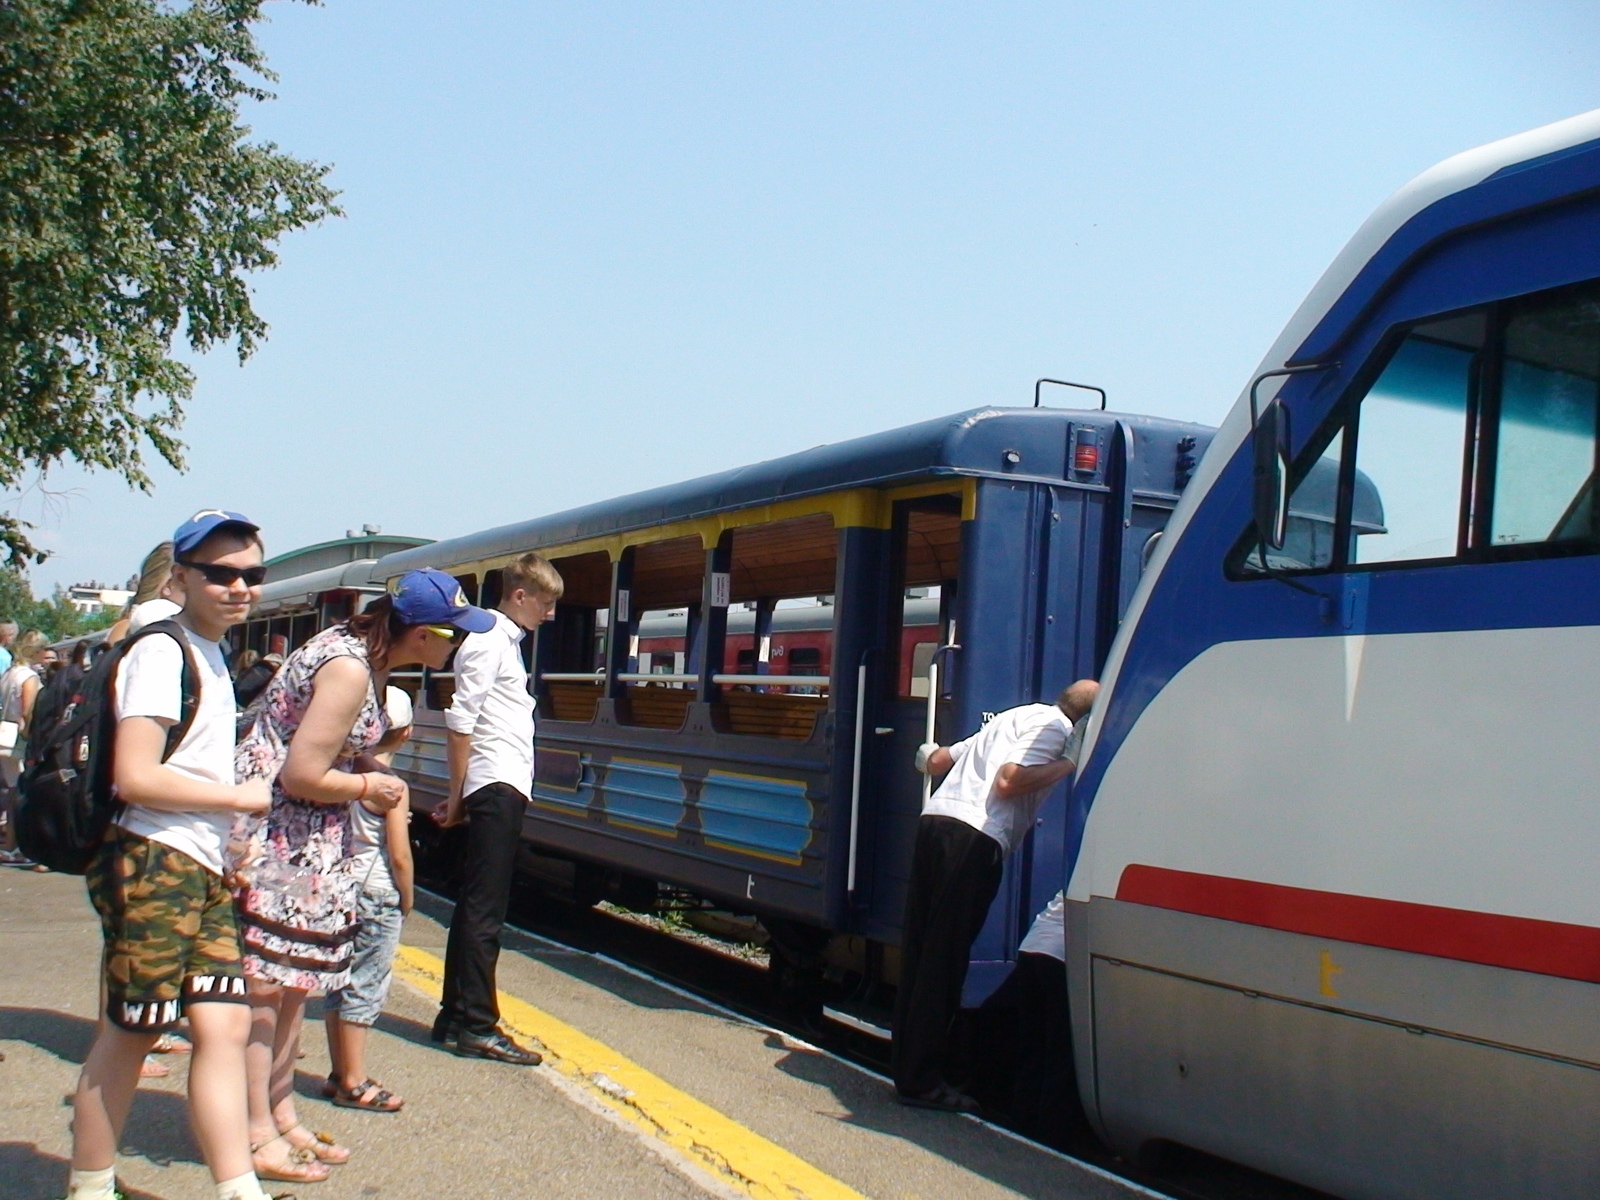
[{"x": 132, "y": 206}]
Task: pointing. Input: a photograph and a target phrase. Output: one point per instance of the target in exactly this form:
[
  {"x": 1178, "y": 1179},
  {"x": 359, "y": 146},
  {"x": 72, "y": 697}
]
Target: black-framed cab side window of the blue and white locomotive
[{"x": 1479, "y": 439}]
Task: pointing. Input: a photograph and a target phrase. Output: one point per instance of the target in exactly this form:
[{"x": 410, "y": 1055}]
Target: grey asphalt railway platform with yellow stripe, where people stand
[{"x": 646, "y": 1092}]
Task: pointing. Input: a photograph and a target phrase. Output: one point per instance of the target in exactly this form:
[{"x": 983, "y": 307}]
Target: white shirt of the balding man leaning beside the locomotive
[{"x": 1028, "y": 735}]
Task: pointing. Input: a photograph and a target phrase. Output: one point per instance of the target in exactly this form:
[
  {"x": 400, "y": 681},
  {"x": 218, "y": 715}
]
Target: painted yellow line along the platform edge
[{"x": 698, "y": 1132}]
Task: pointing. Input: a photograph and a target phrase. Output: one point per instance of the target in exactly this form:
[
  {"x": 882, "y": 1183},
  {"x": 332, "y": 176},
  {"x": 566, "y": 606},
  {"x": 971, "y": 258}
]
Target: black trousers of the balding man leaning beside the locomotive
[{"x": 954, "y": 879}]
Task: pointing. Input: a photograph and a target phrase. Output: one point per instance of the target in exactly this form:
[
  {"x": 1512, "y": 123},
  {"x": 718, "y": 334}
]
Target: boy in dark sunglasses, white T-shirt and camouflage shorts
[{"x": 172, "y": 945}]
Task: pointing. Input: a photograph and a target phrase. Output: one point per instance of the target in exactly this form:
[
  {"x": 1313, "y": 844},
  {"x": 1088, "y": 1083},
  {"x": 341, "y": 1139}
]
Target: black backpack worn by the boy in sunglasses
[{"x": 66, "y": 793}]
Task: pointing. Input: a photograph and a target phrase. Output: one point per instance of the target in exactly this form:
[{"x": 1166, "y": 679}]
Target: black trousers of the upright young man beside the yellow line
[{"x": 494, "y": 833}]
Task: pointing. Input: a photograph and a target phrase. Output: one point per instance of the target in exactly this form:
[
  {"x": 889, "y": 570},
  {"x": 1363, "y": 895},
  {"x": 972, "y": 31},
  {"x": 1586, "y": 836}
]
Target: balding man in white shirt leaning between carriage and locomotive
[{"x": 994, "y": 785}]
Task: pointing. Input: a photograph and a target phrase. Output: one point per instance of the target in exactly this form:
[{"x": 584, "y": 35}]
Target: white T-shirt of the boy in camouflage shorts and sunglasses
[{"x": 150, "y": 684}]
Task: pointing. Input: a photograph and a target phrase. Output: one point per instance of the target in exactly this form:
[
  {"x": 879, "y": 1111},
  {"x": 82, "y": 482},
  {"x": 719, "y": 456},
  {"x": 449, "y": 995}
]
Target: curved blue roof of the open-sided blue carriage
[{"x": 969, "y": 444}]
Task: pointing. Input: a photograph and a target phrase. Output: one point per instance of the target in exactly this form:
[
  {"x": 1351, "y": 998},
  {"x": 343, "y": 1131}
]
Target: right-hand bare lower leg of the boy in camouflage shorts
[{"x": 218, "y": 1106}]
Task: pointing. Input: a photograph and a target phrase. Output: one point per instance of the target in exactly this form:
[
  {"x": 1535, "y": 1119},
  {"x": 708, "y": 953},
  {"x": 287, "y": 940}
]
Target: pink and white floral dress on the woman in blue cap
[{"x": 297, "y": 908}]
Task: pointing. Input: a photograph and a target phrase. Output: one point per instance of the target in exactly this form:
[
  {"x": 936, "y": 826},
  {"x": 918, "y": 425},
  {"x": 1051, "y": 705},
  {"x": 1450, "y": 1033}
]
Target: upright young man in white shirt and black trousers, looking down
[{"x": 490, "y": 743}]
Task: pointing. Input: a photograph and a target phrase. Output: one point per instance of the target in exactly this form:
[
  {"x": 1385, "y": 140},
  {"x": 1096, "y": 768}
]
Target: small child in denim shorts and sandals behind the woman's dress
[{"x": 383, "y": 863}]
